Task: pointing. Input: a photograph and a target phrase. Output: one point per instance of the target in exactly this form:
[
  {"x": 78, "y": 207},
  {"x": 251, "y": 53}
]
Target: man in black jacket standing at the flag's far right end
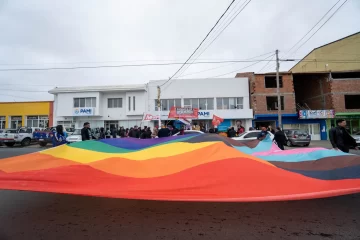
[{"x": 340, "y": 139}]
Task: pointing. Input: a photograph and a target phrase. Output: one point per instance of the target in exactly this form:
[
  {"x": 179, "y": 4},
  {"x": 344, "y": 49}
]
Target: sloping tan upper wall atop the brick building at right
[{"x": 342, "y": 50}]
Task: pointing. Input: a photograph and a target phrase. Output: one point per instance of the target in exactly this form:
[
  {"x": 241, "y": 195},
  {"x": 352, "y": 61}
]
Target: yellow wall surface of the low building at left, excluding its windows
[{"x": 24, "y": 109}]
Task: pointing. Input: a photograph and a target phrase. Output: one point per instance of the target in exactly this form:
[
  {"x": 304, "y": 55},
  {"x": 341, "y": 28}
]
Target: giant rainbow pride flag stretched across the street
[{"x": 204, "y": 167}]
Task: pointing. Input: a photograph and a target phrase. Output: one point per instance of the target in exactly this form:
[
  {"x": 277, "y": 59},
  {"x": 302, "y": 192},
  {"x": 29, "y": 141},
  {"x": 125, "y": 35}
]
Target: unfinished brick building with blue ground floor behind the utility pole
[{"x": 264, "y": 102}]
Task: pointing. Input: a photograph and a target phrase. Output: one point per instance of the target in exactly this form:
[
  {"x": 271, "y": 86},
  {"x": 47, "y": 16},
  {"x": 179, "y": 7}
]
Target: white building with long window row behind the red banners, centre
[{"x": 227, "y": 98}]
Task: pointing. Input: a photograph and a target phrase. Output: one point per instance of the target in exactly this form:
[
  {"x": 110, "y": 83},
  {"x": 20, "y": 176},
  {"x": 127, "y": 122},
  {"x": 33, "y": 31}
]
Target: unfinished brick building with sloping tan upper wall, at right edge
[{"x": 329, "y": 78}]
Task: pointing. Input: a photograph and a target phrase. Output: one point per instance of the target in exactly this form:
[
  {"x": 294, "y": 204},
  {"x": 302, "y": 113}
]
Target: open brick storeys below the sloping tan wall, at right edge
[{"x": 339, "y": 91}]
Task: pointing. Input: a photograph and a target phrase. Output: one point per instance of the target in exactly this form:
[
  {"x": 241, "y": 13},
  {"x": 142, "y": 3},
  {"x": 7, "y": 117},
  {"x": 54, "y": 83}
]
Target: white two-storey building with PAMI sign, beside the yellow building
[{"x": 105, "y": 106}]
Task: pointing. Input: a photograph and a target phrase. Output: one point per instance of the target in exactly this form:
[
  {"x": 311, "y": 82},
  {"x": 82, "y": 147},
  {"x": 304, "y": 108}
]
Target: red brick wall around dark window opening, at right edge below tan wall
[{"x": 340, "y": 88}]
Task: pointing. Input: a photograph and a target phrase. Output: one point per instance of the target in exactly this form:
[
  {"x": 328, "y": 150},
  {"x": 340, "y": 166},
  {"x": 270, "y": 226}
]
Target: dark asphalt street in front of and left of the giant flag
[{"x": 30, "y": 215}]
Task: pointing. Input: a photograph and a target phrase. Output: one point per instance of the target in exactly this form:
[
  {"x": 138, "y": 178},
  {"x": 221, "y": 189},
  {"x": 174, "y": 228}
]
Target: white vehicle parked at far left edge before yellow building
[{"x": 21, "y": 136}]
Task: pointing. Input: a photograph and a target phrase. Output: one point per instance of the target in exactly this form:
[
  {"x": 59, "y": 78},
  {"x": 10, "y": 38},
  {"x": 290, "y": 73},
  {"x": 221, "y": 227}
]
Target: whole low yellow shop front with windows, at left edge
[{"x": 26, "y": 114}]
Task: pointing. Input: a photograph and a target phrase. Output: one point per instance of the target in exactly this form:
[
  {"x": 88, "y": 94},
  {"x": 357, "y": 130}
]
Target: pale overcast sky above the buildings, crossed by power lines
[{"x": 43, "y": 33}]
